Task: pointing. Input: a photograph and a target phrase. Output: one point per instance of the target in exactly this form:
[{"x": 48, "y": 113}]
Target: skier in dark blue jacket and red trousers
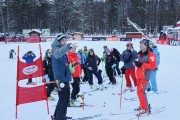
[{"x": 128, "y": 56}]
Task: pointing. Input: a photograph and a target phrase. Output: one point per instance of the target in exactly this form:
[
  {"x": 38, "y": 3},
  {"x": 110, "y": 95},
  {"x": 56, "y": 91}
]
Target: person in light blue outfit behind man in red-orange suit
[{"x": 152, "y": 84}]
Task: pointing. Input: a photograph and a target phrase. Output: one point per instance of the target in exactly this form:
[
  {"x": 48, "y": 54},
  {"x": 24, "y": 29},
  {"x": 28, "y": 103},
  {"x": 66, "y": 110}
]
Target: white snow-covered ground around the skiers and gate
[{"x": 103, "y": 102}]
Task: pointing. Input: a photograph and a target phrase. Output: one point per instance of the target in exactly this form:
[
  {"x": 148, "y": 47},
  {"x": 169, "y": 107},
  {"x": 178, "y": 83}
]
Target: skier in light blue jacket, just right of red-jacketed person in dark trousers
[{"x": 82, "y": 58}]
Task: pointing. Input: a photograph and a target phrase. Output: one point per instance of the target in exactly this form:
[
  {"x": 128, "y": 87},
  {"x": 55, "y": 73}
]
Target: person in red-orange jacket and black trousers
[{"x": 76, "y": 73}]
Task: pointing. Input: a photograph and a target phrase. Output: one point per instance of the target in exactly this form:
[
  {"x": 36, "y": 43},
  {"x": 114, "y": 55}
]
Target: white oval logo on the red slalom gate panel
[{"x": 30, "y": 69}]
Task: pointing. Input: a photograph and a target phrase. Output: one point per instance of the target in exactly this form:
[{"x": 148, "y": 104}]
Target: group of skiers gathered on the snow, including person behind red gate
[{"x": 63, "y": 64}]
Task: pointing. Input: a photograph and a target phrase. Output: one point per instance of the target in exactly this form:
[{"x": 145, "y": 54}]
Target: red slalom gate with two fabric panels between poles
[{"x": 30, "y": 94}]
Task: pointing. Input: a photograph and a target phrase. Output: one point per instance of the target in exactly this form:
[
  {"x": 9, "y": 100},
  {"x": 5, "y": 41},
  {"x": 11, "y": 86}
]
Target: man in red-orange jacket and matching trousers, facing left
[{"x": 145, "y": 64}]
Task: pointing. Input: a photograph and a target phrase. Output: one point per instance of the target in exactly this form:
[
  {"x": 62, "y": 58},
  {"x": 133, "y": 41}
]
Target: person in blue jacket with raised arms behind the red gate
[{"x": 29, "y": 57}]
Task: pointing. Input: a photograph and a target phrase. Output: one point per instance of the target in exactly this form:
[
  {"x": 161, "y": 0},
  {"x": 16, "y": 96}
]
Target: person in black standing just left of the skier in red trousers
[{"x": 116, "y": 53}]
